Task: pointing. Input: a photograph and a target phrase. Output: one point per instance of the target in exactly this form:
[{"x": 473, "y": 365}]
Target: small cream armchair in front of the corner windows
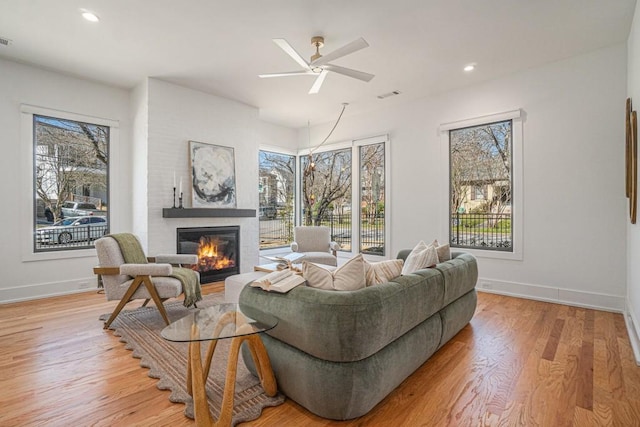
[{"x": 315, "y": 242}]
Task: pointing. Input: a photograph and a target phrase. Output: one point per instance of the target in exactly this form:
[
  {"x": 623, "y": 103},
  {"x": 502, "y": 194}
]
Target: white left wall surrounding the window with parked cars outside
[{"x": 25, "y": 275}]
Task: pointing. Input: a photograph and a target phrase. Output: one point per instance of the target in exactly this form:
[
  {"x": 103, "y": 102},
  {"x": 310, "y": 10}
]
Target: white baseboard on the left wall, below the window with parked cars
[{"x": 46, "y": 290}]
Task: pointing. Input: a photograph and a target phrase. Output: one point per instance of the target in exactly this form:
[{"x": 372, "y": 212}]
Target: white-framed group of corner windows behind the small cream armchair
[{"x": 329, "y": 179}]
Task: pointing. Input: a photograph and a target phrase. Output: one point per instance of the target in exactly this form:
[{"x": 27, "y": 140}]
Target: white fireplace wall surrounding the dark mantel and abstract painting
[{"x": 177, "y": 115}]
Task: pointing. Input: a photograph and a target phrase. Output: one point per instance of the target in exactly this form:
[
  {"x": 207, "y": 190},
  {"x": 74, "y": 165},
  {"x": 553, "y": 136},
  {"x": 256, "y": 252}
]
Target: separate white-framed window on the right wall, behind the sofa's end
[{"x": 485, "y": 184}]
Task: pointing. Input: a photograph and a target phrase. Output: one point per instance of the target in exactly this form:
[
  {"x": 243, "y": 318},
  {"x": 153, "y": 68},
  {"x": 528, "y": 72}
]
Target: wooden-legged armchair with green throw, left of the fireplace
[{"x": 124, "y": 268}]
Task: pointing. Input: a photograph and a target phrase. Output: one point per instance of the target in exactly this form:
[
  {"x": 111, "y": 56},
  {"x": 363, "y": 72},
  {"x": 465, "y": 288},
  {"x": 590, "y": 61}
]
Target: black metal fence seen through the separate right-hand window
[{"x": 481, "y": 231}]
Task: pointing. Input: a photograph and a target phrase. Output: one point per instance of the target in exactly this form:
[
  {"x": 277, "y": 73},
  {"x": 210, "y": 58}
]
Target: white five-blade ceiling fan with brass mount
[{"x": 319, "y": 65}]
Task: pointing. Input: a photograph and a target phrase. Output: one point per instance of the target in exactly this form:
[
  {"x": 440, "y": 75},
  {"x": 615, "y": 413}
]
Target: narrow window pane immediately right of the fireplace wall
[{"x": 276, "y": 192}]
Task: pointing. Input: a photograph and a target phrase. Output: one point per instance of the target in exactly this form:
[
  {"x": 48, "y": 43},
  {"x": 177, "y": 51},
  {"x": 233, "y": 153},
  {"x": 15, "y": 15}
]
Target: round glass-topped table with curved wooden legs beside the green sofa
[{"x": 221, "y": 321}]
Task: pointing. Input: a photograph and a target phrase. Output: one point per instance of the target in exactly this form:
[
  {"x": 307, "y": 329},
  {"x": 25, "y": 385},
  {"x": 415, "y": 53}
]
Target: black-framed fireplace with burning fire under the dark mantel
[{"x": 218, "y": 250}]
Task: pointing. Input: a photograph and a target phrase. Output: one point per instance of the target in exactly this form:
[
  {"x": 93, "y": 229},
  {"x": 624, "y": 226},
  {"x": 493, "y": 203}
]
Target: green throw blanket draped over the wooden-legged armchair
[{"x": 133, "y": 254}]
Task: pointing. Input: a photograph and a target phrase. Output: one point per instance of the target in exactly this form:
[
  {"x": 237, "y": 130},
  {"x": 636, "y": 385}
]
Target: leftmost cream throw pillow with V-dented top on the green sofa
[{"x": 347, "y": 277}]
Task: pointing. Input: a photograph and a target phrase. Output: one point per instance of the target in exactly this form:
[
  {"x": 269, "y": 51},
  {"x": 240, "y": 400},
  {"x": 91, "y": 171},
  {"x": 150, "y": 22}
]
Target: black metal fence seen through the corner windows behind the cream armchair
[{"x": 279, "y": 232}]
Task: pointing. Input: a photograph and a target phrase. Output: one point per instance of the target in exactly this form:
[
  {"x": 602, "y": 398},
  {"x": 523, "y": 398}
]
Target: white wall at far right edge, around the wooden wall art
[{"x": 633, "y": 231}]
